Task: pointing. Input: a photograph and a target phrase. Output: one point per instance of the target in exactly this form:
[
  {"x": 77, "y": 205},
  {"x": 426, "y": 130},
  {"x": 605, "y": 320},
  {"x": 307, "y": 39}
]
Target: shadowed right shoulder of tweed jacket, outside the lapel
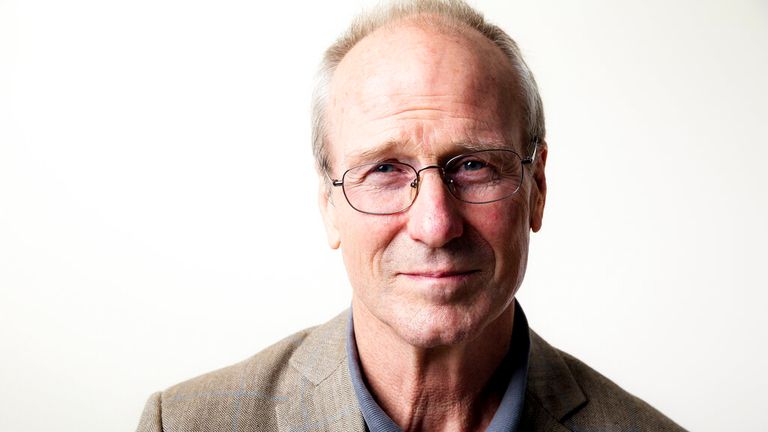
[{"x": 609, "y": 407}]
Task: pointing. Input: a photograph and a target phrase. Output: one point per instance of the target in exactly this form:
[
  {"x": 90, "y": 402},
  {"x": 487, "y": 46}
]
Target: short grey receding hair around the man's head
[{"x": 454, "y": 13}]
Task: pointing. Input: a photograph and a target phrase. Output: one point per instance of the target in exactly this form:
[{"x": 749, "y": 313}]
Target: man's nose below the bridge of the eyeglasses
[{"x": 434, "y": 218}]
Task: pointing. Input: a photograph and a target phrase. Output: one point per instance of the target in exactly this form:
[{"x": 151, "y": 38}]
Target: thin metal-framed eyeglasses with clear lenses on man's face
[{"x": 384, "y": 188}]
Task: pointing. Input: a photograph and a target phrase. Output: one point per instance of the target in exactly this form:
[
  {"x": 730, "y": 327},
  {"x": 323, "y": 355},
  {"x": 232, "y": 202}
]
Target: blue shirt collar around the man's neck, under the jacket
[{"x": 507, "y": 416}]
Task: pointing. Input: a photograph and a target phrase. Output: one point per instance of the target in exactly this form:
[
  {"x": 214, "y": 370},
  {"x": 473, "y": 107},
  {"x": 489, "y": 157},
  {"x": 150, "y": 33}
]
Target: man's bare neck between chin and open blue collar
[{"x": 442, "y": 388}]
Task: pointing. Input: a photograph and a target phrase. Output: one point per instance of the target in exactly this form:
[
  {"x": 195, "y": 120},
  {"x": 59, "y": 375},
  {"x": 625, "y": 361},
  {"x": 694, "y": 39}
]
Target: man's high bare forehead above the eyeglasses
[{"x": 425, "y": 86}]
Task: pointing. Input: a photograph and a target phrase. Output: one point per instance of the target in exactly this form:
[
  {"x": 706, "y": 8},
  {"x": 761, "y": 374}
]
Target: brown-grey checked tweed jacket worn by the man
[{"x": 302, "y": 384}]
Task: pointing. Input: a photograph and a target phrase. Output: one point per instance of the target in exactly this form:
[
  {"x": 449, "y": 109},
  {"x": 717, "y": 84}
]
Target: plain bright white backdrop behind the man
[{"x": 158, "y": 210}]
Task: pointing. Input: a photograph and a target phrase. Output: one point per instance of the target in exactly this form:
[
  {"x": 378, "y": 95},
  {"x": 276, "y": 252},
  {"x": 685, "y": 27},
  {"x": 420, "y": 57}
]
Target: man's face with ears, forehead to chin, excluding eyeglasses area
[{"x": 441, "y": 271}]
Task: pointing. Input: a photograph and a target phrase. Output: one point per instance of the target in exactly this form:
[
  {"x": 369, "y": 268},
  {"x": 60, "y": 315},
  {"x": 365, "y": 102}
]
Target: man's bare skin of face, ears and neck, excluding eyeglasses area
[{"x": 433, "y": 287}]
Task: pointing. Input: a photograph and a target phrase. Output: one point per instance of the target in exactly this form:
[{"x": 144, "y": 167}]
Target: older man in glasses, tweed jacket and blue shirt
[{"x": 430, "y": 142}]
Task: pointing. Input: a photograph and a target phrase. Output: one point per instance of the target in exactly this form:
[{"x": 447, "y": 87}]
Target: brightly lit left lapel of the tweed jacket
[{"x": 322, "y": 397}]
